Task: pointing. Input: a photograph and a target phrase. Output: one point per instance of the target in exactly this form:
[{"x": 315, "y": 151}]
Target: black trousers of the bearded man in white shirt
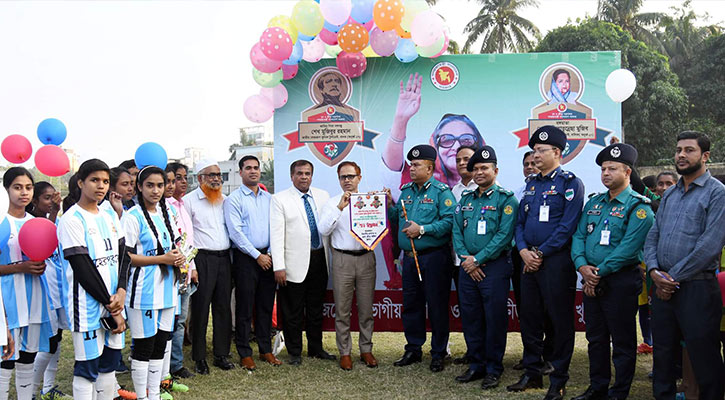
[{"x": 215, "y": 289}]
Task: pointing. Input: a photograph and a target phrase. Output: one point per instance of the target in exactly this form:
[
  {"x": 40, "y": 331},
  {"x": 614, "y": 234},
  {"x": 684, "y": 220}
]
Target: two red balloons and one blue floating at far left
[{"x": 50, "y": 159}]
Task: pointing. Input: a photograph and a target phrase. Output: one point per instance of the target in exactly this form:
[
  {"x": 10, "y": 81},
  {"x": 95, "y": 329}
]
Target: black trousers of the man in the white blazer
[{"x": 301, "y": 306}]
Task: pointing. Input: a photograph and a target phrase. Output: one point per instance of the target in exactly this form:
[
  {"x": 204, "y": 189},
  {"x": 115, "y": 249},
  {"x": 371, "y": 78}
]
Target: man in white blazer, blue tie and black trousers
[{"x": 299, "y": 262}]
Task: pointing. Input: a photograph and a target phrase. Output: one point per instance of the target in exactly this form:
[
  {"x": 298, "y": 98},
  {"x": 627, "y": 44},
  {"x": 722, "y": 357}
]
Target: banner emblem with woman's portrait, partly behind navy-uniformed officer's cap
[{"x": 562, "y": 86}]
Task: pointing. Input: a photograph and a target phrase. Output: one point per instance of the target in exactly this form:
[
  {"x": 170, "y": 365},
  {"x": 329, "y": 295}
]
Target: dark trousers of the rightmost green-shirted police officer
[{"x": 612, "y": 318}]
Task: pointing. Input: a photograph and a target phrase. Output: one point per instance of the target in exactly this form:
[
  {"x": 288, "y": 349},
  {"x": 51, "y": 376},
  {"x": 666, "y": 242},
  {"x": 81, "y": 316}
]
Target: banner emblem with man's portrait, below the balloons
[{"x": 330, "y": 127}]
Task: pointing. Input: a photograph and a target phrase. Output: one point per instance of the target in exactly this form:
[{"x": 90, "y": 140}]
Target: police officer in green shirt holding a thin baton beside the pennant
[{"x": 430, "y": 206}]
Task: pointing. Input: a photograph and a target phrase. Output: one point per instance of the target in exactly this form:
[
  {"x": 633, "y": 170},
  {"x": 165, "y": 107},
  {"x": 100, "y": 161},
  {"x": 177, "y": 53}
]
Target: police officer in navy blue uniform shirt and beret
[{"x": 547, "y": 218}]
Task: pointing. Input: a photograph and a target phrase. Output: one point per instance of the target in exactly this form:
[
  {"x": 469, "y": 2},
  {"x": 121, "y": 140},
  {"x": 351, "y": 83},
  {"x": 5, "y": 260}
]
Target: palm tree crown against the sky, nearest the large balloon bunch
[{"x": 501, "y": 27}]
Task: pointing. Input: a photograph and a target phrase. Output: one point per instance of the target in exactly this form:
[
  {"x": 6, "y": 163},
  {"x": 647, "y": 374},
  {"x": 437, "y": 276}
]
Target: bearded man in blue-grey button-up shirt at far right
[{"x": 682, "y": 252}]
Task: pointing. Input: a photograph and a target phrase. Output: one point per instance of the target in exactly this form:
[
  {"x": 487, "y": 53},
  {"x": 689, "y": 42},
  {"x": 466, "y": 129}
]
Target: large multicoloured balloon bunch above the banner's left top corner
[{"x": 349, "y": 30}]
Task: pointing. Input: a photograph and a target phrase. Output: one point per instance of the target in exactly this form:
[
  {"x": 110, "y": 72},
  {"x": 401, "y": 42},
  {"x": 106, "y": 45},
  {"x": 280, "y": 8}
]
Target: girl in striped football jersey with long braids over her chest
[{"x": 153, "y": 280}]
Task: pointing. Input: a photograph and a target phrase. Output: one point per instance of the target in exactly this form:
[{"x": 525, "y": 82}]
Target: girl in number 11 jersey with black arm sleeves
[{"x": 95, "y": 286}]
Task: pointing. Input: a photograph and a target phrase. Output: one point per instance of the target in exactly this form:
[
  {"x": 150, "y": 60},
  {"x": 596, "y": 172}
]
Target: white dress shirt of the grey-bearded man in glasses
[{"x": 210, "y": 231}]
